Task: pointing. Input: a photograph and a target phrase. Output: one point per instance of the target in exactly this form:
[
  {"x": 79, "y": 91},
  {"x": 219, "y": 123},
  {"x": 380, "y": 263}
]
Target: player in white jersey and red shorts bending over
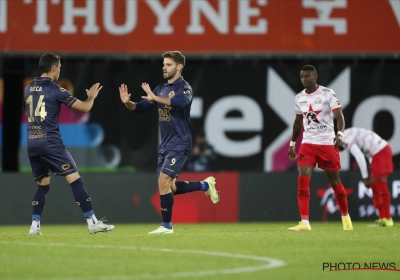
[{"x": 363, "y": 143}]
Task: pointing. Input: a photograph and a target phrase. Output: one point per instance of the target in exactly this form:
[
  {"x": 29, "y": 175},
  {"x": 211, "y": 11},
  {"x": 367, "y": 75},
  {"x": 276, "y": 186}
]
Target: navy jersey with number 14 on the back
[{"x": 43, "y": 99}]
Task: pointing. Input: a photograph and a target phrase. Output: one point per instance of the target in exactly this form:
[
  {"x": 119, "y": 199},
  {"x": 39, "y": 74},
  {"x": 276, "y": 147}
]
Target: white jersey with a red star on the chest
[{"x": 317, "y": 110}]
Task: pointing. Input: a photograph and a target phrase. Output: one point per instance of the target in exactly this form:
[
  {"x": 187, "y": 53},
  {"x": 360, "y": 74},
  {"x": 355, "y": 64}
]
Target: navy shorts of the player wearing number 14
[{"x": 61, "y": 164}]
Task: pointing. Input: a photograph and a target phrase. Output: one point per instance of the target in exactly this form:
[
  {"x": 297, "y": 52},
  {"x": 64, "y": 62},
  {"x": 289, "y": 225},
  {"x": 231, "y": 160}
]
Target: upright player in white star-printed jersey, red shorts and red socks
[{"x": 315, "y": 108}]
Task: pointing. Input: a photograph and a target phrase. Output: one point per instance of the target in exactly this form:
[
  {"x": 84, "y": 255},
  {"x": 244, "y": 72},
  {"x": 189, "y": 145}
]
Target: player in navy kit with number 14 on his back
[{"x": 46, "y": 150}]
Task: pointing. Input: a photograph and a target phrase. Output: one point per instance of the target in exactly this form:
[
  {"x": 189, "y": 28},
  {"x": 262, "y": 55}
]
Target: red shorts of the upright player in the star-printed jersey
[{"x": 327, "y": 156}]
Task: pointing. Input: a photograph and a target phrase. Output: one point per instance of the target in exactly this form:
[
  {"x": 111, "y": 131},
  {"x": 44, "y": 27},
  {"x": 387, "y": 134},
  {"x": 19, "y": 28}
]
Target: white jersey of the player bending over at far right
[{"x": 368, "y": 141}]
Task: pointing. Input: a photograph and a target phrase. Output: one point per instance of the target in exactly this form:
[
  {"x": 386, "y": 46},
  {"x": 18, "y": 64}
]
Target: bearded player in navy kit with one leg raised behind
[{"x": 173, "y": 100}]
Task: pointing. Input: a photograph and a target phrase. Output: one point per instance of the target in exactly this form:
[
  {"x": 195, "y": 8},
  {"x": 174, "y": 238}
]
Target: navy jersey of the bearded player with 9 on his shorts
[{"x": 174, "y": 122}]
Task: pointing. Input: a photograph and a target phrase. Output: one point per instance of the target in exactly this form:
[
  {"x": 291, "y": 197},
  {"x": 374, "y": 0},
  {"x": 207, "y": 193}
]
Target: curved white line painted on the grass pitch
[{"x": 270, "y": 262}]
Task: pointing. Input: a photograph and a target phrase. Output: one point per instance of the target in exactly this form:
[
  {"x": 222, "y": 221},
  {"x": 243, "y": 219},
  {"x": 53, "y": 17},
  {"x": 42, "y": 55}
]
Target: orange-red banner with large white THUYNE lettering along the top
[{"x": 201, "y": 26}]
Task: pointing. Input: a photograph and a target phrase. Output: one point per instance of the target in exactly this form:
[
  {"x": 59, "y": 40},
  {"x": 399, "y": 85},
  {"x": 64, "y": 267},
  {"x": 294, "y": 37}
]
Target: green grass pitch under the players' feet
[{"x": 201, "y": 251}]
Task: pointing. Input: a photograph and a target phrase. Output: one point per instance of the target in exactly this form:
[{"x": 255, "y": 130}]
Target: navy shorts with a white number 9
[{"x": 171, "y": 163}]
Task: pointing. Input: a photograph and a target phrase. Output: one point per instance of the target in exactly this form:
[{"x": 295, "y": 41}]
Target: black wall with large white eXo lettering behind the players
[{"x": 366, "y": 87}]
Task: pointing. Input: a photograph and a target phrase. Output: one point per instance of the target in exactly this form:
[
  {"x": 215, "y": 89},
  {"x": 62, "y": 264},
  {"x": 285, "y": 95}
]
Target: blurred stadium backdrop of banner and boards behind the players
[{"x": 243, "y": 62}]
